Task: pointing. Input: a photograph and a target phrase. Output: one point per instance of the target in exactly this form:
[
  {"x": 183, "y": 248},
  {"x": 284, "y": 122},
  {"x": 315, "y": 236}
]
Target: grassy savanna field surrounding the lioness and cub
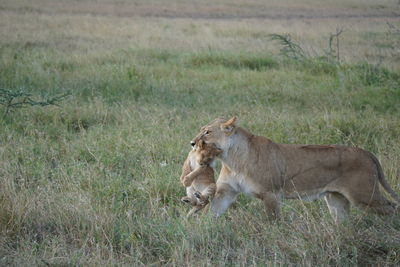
[{"x": 95, "y": 180}]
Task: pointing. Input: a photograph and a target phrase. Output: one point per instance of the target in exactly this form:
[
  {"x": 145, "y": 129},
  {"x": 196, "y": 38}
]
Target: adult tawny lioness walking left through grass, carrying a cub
[{"x": 269, "y": 171}]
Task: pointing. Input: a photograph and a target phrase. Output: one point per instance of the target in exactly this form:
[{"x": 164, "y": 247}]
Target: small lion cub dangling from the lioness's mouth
[{"x": 198, "y": 175}]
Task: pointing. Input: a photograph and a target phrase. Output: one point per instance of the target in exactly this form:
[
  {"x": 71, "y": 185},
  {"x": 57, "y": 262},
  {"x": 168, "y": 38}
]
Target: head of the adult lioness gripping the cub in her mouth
[{"x": 216, "y": 133}]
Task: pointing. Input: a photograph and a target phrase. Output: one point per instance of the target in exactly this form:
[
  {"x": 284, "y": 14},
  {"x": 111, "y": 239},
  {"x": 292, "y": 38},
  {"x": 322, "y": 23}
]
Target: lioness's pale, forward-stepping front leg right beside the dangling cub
[{"x": 223, "y": 198}]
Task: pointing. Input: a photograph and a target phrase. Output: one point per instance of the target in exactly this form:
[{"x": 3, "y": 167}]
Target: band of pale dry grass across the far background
[{"x": 89, "y": 26}]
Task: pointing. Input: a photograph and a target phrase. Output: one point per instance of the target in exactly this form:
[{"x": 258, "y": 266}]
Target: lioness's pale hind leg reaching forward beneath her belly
[{"x": 338, "y": 206}]
